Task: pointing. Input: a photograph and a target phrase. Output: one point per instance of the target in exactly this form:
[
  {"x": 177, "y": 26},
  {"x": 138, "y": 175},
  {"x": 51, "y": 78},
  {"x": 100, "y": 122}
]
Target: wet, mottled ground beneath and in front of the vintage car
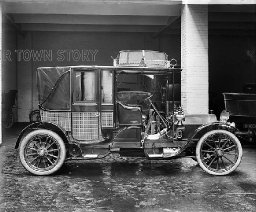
[{"x": 121, "y": 184}]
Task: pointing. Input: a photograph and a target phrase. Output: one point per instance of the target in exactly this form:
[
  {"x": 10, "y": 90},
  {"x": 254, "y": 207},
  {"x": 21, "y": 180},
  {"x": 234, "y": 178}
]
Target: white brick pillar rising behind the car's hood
[{"x": 194, "y": 59}]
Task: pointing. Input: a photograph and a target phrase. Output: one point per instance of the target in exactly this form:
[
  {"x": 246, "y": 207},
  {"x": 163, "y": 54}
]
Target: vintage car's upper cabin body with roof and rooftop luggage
[{"x": 85, "y": 100}]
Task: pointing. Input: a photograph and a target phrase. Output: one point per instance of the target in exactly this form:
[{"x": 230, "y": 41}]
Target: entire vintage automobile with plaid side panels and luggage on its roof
[{"x": 131, "y": 108}]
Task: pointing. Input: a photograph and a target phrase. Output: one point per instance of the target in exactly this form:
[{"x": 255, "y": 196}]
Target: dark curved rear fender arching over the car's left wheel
[{"x": 42, "y": 125}]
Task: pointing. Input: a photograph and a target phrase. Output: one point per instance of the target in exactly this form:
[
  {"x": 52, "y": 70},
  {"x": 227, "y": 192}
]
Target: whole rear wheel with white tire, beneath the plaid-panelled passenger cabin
[{"x": 42, "y": 152}]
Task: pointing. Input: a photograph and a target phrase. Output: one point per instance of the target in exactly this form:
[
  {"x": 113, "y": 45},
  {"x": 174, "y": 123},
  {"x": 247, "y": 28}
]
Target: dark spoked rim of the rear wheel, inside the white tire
[{"x": 42, "y": 152}]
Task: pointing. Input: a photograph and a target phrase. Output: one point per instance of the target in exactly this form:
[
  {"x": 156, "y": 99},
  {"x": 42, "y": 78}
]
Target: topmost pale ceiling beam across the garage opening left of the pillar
[{"x": 68, "y": 7}]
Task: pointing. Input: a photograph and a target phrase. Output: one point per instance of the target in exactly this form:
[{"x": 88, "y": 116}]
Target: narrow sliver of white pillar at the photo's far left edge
[{"x": 1, "y": 48}]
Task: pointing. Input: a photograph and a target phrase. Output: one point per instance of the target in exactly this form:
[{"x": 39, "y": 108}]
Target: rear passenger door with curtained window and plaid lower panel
[{"x": 85, "y": 105}]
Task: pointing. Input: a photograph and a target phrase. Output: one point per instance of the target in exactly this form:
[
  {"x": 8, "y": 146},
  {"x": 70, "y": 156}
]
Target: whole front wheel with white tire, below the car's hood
[{"x": 219, "y": 152}]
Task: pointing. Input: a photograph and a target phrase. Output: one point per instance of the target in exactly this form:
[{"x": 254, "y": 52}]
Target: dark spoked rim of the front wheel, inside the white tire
[{"x": 219, "y": 152}]
